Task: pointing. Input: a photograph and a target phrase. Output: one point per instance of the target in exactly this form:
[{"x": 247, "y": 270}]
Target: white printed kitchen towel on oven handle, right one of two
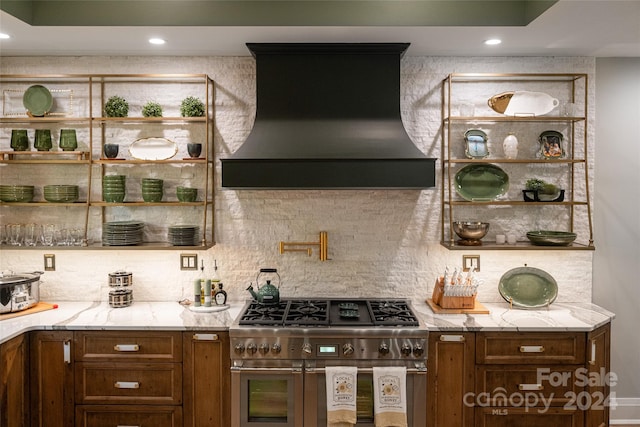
[{"x": 390, "y": 396}]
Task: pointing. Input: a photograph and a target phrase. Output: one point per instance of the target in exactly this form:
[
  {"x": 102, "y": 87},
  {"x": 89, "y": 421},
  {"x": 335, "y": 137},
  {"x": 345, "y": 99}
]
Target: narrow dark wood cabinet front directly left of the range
[{"x": 206, "y": 379}]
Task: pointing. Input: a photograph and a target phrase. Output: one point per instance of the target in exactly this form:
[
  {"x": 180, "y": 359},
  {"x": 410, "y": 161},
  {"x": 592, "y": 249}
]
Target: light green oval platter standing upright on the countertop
[{"x": 528, "y": 287}]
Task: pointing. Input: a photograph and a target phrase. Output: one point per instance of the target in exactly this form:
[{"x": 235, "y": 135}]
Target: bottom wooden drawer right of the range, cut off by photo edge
[{"x": 532, "y": 417}]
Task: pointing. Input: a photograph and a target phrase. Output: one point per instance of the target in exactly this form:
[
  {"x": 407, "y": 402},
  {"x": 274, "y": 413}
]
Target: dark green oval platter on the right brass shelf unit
[{"x": 481, "y": 182}]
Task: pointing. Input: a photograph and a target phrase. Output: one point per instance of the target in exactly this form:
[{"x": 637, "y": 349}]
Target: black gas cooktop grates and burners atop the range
[{"x": 324, "y": 312}]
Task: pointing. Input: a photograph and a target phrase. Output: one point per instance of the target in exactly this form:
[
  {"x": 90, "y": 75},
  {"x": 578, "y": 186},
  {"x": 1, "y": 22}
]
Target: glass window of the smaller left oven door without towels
[{"x": 268, "y": 400}]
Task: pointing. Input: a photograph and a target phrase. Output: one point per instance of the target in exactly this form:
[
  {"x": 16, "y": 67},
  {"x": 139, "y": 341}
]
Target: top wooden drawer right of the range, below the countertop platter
[{"x": 531, "y": 347}]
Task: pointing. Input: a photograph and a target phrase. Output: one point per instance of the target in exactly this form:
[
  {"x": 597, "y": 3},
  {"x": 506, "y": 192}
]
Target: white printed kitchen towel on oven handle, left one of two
[{"x": 342, "y": 382}]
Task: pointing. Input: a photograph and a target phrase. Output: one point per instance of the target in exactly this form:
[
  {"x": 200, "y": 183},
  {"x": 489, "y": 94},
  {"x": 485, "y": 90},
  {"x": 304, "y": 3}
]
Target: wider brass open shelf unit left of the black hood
[{"x": 88, "y": 116}]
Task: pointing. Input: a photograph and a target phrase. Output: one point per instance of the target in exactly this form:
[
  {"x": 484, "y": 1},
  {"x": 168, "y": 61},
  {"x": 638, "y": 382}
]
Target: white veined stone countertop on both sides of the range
[{"x": 577, "y": 317}]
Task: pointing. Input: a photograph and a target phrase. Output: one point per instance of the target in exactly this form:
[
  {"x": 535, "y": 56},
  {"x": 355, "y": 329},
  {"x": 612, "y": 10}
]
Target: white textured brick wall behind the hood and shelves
[{"x": 381, "y": 243}]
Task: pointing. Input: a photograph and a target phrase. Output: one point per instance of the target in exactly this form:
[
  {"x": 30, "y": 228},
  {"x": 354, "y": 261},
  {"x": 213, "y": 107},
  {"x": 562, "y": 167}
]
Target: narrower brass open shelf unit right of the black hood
[{"x": 573, "y": 165}]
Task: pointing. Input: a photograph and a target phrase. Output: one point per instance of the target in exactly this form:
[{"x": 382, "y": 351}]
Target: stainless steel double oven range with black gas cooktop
[{"x": 279, "y": 353}]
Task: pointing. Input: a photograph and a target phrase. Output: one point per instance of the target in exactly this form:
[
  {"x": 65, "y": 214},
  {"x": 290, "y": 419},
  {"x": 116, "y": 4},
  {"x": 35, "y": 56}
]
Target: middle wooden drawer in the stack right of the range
[{"x": 504, "y": 385}]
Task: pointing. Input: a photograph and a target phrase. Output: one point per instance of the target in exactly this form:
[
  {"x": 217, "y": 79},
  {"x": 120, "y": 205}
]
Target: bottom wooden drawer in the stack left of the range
[{"x": 128, "y": 415}]
